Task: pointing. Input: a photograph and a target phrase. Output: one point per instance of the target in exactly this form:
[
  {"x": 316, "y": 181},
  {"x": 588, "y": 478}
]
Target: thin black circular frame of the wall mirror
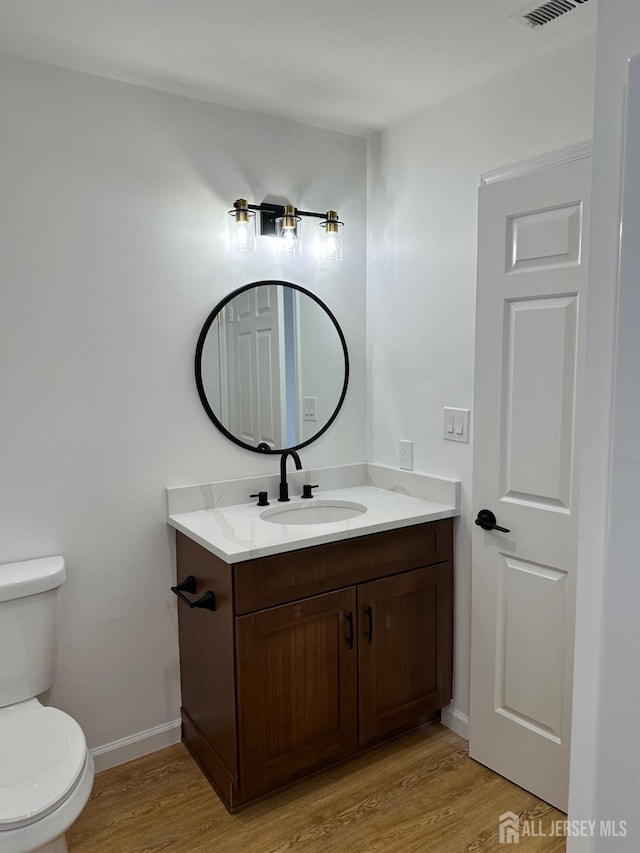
[{"x": 263, "y": 448}]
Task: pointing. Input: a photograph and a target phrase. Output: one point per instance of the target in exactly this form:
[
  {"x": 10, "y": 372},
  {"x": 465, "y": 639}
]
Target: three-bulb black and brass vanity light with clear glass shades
[{"x": 282, "y": 221}]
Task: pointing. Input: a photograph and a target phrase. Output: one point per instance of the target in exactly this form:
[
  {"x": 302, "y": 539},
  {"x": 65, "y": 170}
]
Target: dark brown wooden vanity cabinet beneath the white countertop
[{"x": 313, "y": 655}]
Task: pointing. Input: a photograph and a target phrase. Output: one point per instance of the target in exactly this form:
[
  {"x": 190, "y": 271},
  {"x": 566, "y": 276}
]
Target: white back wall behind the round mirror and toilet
[{"x": 113, "y": 221}]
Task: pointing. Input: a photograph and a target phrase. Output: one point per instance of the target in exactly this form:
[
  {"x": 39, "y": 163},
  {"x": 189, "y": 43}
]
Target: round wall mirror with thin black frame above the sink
[{"x": 272, "y": 366}]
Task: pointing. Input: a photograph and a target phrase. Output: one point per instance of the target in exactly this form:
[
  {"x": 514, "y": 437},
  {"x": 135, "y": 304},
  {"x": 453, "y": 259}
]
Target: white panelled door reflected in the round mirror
[{"x": 255, "y": 374}]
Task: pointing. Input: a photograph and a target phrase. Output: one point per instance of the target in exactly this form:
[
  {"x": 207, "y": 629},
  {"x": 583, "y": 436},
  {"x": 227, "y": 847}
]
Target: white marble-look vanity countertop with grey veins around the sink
[{"x": 236, "y": 533}]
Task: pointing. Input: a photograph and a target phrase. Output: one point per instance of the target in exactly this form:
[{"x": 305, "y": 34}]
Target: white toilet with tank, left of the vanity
[{"x": 46, "y": 770}]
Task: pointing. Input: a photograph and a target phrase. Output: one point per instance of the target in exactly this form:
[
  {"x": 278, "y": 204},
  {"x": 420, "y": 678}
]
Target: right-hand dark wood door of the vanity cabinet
[{"x": 405, "y": 638}]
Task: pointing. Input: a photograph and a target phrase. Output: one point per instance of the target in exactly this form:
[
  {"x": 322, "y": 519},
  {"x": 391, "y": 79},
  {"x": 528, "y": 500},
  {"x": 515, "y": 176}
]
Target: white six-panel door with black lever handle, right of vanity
[{"x": 528, "y": 379}]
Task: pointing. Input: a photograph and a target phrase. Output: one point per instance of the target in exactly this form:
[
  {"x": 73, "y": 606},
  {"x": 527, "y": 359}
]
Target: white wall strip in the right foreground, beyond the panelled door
[{"x": 605, "y": 755}]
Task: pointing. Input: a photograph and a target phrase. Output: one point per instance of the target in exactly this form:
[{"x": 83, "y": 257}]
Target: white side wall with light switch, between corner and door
[{"x": 424, "y": 175}]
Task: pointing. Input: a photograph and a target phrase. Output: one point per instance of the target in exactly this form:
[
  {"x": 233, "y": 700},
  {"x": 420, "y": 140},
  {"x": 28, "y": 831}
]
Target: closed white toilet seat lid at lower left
[{"x": 43, "y": 753}]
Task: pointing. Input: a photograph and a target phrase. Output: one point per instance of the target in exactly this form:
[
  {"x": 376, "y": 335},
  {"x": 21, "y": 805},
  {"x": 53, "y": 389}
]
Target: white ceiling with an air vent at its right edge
[{"x": 350, "y": 65}]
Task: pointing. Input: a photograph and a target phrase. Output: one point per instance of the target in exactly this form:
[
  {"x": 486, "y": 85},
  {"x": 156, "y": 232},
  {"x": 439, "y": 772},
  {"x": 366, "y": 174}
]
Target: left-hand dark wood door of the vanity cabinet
[{"x": 297, "y": 689}]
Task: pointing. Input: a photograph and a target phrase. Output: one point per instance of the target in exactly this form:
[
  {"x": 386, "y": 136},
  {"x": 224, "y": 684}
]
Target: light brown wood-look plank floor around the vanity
[{"x": 419, "y": 793}]
